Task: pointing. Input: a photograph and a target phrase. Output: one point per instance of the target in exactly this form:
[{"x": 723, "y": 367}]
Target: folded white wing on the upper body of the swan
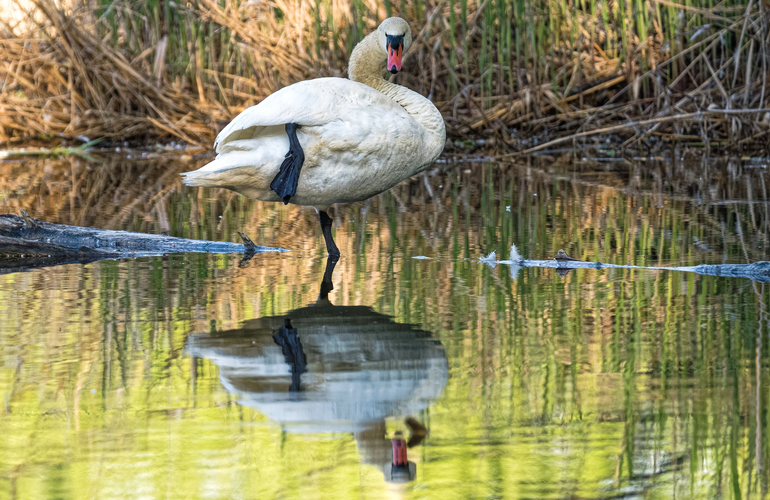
[{"x": 307, "y": 103}]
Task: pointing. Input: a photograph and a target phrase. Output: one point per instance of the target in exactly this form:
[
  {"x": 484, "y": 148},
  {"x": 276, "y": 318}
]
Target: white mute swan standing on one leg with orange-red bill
[{"x": 347, "y": 140}]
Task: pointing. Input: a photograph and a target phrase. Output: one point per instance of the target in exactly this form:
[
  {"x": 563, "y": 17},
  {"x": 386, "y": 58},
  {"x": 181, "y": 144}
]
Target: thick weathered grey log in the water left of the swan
[{"x": 27, "y": 243}]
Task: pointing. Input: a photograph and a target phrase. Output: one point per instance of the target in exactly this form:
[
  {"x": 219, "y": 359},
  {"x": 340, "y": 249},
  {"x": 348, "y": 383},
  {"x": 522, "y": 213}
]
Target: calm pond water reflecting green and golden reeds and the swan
[{"x": 179, "y": 377}]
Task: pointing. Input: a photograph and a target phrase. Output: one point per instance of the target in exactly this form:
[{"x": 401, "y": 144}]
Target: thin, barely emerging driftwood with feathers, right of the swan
[{"x": 563, "y": 264}]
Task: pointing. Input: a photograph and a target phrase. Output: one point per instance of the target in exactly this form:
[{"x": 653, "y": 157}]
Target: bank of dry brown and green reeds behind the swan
[{"x": 522, "y": 75}]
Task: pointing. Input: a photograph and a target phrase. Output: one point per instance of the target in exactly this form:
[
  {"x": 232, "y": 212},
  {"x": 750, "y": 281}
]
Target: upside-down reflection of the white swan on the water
[{"x": 326, "y": 368}]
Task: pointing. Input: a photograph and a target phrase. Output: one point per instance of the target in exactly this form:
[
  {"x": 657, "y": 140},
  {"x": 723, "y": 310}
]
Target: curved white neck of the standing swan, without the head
[{"x": 366, "y": 66}]
